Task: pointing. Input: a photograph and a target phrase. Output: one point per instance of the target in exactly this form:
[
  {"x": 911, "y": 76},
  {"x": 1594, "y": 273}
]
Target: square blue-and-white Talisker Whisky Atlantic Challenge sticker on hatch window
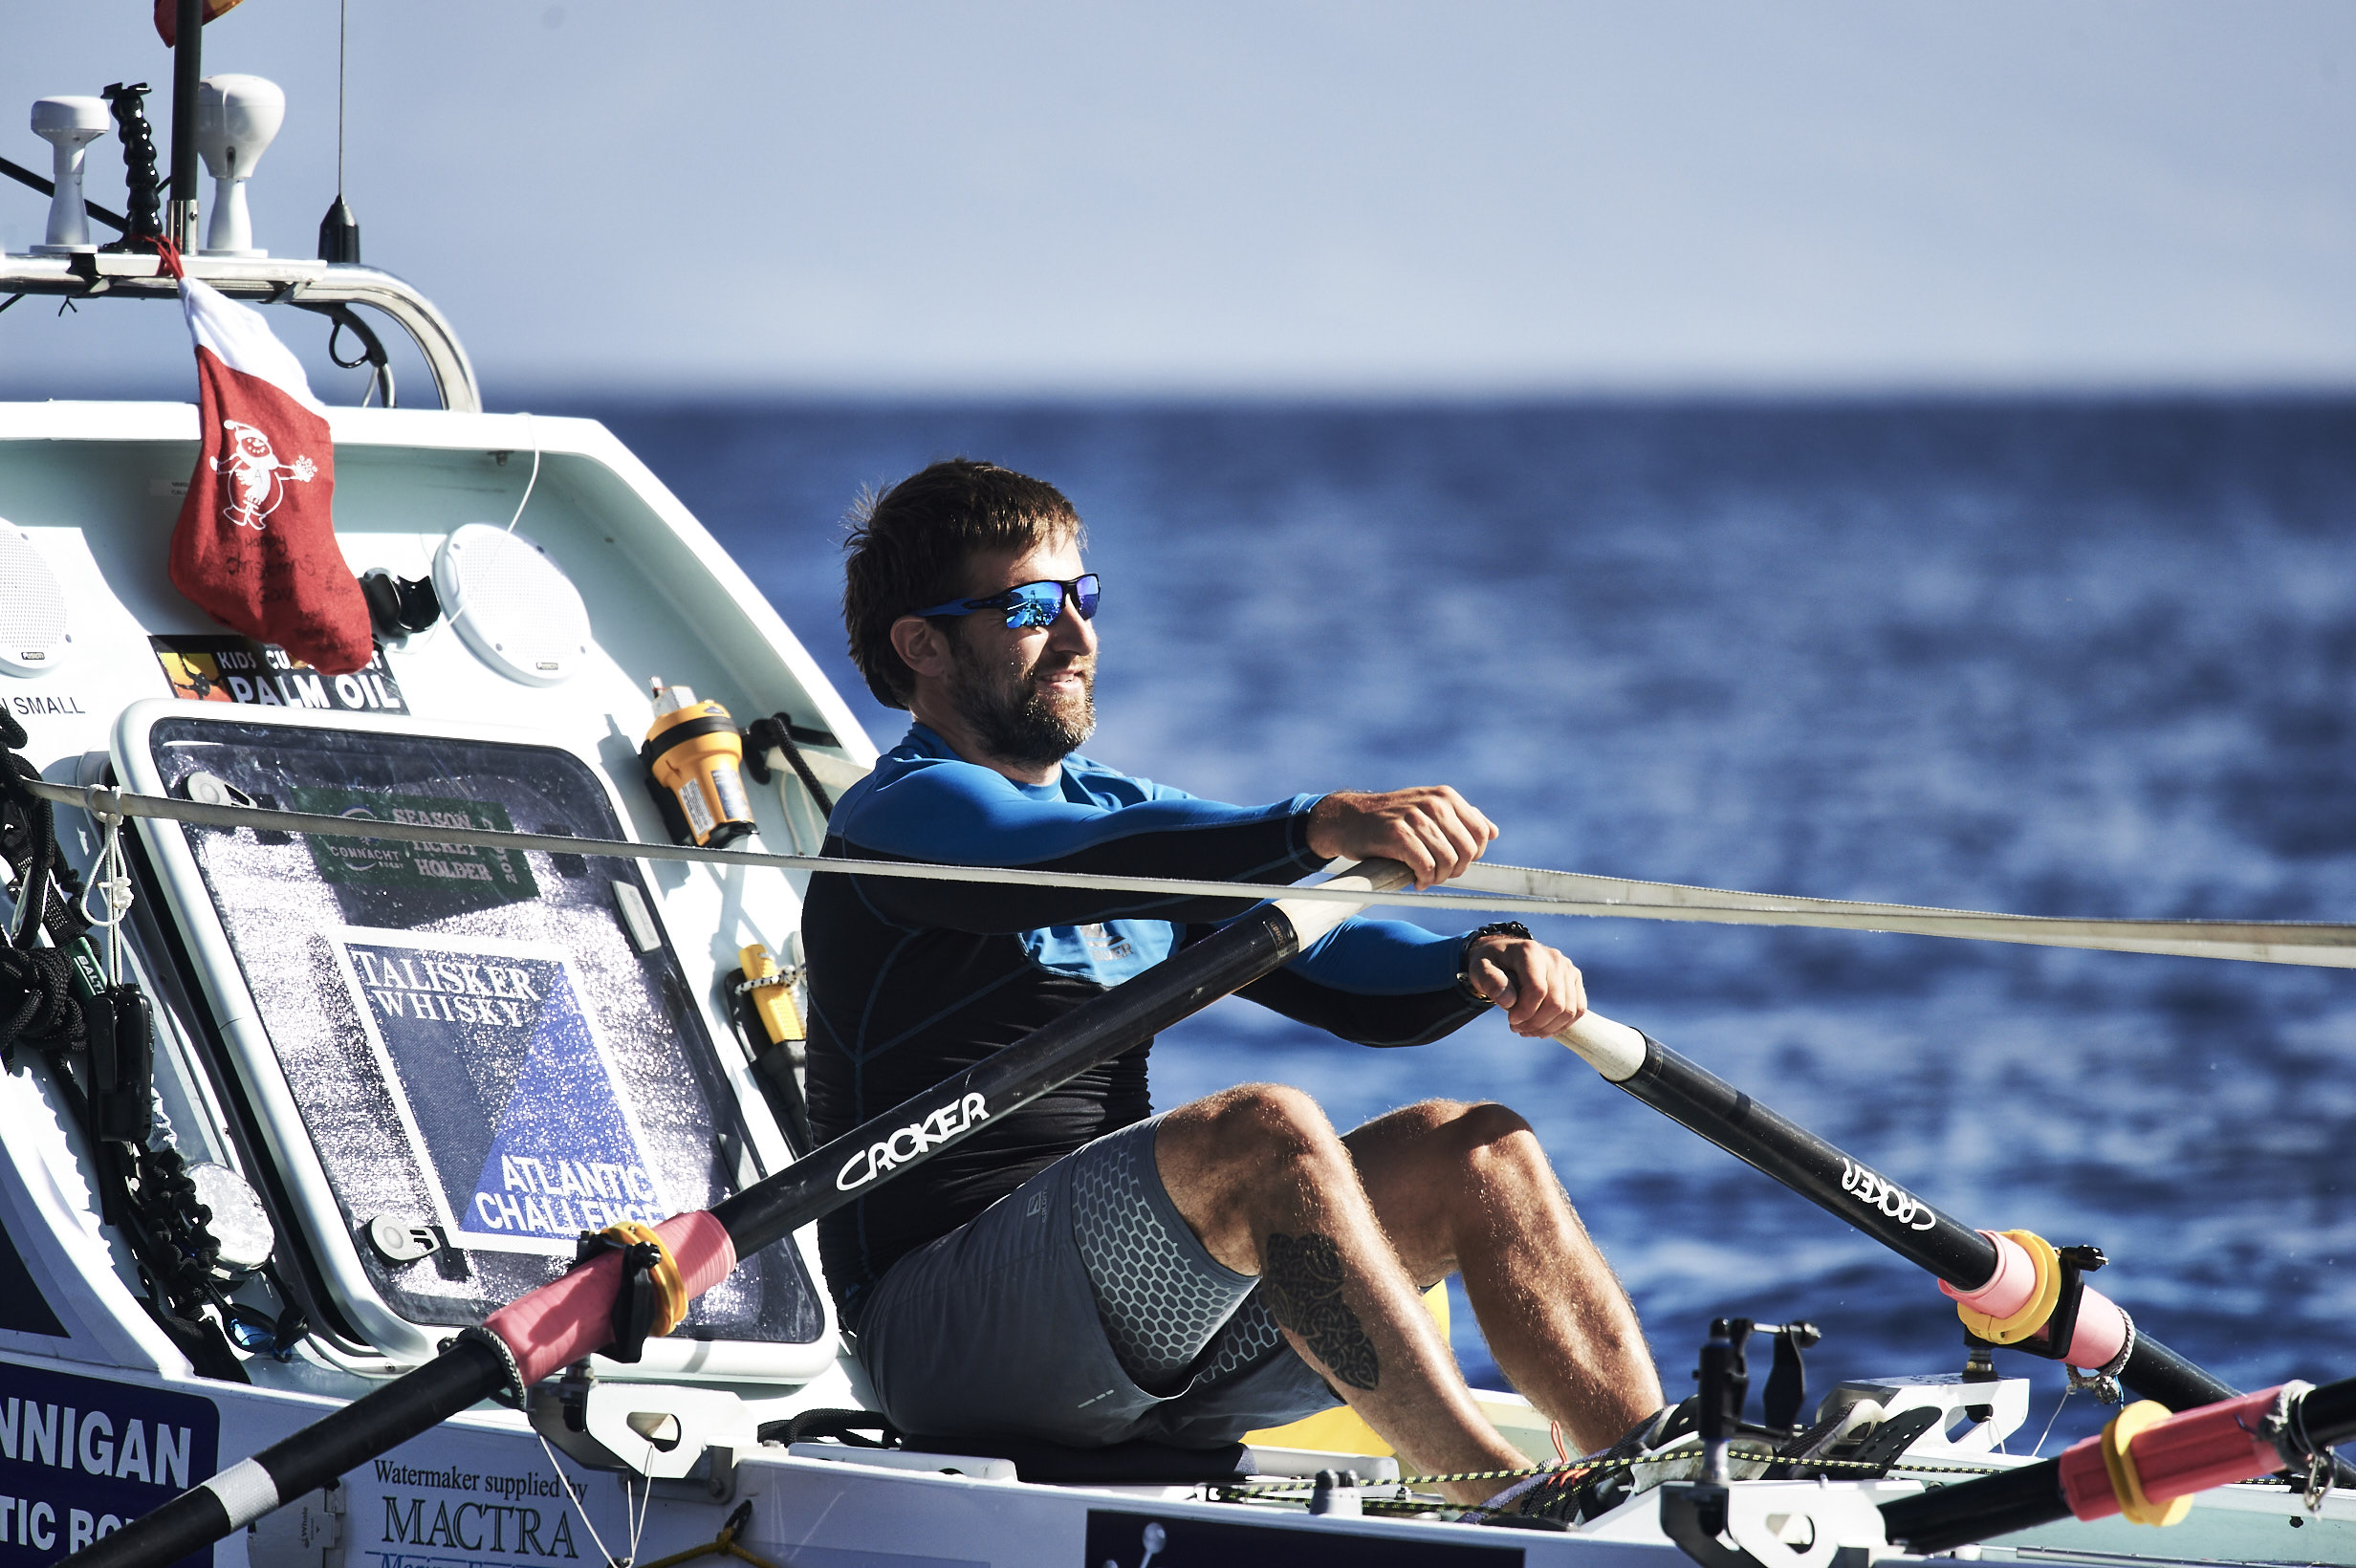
[{"x": 510, "y": 1101}]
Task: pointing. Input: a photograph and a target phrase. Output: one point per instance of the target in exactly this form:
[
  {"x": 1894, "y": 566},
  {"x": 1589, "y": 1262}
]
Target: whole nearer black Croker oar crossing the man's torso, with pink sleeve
[{"x": 567, "y": 1320}]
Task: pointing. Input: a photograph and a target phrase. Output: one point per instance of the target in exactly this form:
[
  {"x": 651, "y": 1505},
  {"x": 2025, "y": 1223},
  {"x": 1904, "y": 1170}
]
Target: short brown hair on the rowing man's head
[{"x": 911, "y": 550}]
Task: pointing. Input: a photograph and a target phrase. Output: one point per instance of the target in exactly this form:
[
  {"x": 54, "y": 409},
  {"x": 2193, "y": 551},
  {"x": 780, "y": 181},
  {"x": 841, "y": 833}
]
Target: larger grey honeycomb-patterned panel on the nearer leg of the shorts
[{"x": 1158, "y": 1291}]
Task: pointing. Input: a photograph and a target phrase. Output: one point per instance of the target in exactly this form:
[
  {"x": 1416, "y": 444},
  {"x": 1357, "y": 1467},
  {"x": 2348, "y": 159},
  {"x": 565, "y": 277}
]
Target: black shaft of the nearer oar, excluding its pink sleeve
[{"x": 755, "y": 1218}]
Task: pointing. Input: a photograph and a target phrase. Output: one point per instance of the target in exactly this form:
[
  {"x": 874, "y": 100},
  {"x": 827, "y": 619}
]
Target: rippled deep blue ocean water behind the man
[{"x": 2049, "y": 658}]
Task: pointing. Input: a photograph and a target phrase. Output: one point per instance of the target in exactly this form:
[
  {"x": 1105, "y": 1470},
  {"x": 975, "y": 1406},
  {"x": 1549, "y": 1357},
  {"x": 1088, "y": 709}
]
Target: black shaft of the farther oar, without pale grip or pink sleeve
[{"x": 1855, "y": 1192}]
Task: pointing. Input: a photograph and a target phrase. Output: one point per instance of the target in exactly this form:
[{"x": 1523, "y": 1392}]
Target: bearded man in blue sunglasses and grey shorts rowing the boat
[{"x": 1090, "y": 1273}]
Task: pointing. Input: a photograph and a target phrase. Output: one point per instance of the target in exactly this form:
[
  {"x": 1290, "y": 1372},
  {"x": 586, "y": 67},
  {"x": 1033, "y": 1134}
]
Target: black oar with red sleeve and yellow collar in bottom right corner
[{"x": 2145, "y": 1466}]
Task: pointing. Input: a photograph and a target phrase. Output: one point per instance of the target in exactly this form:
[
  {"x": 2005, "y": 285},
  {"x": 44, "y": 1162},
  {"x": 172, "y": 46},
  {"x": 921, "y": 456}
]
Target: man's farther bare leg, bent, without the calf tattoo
[{"x": 1467, "y": 1190}]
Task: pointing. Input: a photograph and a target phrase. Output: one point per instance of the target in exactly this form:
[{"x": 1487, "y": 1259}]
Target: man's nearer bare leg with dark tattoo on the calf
[{"x": 1273, "y": 1190}]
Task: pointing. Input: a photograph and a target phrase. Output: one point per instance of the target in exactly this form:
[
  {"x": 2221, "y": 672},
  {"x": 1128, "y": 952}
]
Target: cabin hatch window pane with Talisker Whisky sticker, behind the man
[{"x": 475, "y": 1042}]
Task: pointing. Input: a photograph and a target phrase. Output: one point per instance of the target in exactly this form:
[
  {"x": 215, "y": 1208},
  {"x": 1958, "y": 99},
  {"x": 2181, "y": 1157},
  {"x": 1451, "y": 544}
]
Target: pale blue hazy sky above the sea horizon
[{"x": 1290, "y": 199}]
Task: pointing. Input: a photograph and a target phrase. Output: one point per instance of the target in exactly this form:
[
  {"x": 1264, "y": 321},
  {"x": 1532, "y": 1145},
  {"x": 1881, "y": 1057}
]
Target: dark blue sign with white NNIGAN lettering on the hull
[{"x": 84, "y": 1456}]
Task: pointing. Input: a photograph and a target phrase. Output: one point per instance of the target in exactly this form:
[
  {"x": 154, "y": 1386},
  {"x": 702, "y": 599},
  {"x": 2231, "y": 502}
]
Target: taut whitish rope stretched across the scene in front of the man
[{"x": 1485, "y": 889}]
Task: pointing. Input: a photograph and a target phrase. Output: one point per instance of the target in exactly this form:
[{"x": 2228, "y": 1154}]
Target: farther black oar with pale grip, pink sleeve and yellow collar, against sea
[{"x": 2006, "y": 1284}]
